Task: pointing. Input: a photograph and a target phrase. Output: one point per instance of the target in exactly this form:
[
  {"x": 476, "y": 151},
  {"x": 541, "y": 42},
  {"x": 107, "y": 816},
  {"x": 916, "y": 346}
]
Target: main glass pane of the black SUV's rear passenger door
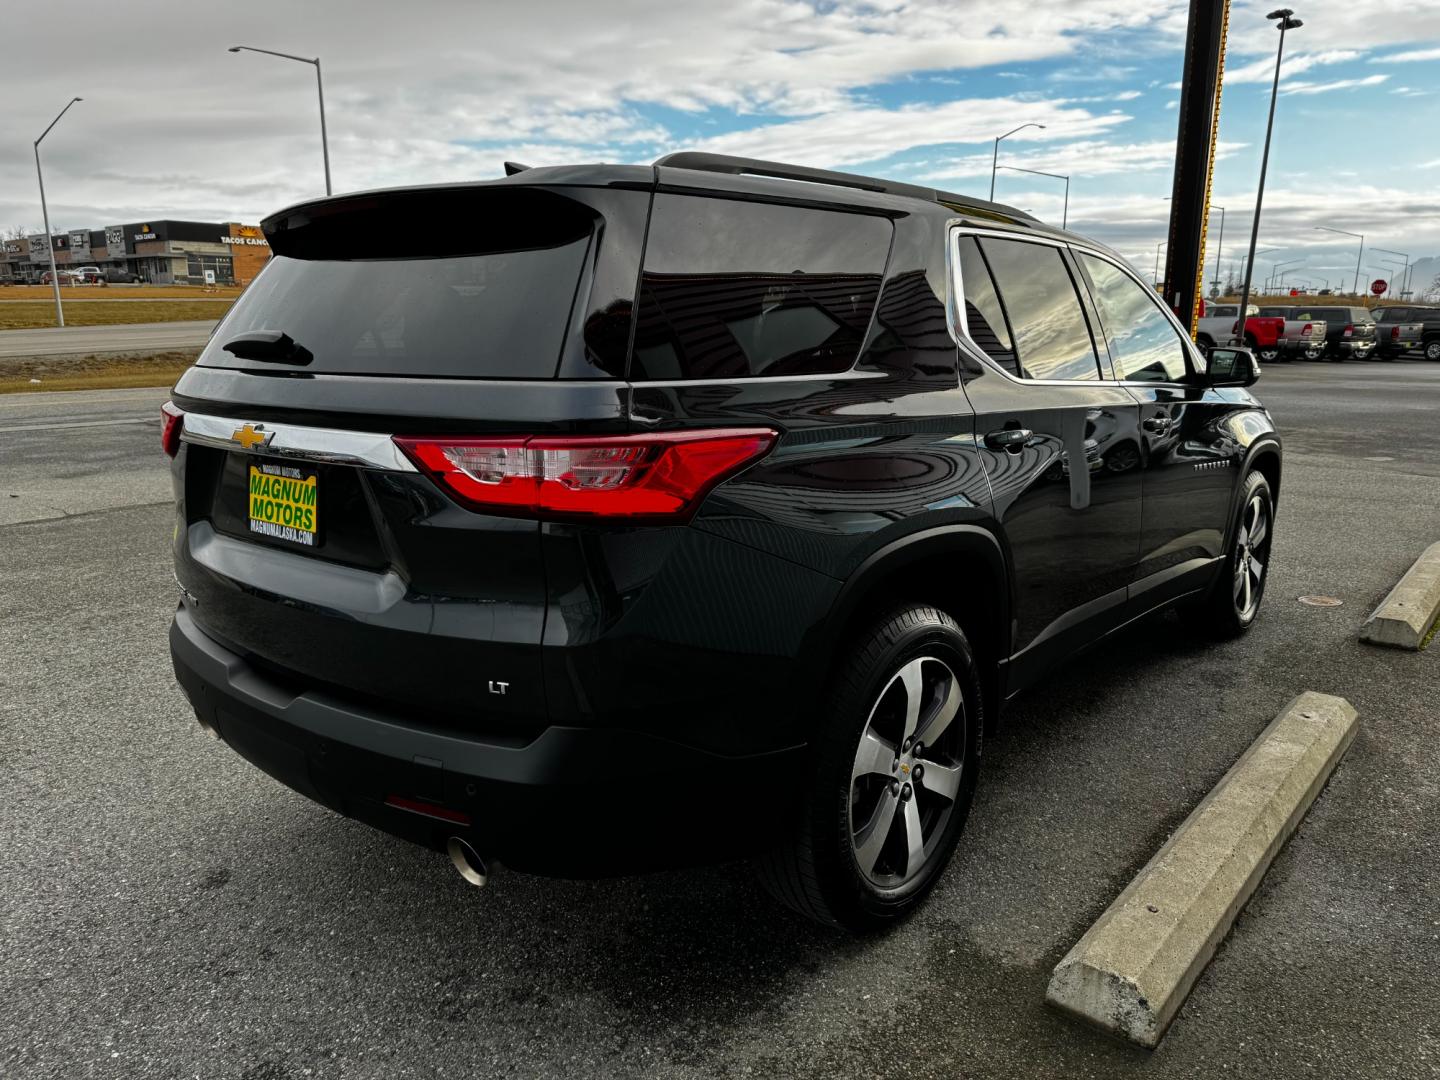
[{"x": 1043, "y": 310}]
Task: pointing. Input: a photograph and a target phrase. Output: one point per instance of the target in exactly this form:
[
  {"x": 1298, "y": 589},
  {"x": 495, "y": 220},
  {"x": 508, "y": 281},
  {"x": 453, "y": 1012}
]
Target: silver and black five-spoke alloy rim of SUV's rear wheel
[{"x": 908, "y": 770}]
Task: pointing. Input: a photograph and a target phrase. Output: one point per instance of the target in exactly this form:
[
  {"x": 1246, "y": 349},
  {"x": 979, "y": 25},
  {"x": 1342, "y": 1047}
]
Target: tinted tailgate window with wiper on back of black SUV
[{"x": 374, "y": 290}]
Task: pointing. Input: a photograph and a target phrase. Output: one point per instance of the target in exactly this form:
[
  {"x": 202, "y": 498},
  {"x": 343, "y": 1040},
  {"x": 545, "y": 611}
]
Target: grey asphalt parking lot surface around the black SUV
[{"x": 166, "y": 911}]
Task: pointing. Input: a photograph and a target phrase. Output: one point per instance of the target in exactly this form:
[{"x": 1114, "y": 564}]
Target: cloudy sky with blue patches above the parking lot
[{"x": 433, "y": 90}]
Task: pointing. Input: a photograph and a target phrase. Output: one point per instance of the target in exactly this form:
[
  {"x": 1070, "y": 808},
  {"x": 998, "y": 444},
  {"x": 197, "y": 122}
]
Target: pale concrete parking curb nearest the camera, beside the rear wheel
[{"x": 1131, "y": 973}]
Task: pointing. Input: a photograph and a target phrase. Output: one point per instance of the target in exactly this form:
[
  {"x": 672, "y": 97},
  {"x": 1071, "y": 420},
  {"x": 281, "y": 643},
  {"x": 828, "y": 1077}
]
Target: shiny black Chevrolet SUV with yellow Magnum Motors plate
[{"x": 604, "y": 519}]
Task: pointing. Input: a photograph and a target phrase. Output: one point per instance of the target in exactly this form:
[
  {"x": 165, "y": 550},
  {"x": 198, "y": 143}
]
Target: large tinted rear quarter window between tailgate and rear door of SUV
[{"x": 737, "y": 290}]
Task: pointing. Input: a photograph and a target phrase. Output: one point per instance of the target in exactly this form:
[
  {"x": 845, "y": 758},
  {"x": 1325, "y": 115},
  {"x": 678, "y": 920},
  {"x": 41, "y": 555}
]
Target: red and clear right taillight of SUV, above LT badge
[{"x": 634, "y": 477}]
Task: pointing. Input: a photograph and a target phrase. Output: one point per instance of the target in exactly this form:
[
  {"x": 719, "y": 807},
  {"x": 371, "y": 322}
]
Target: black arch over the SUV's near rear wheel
[{"x": 960, "y": 570}]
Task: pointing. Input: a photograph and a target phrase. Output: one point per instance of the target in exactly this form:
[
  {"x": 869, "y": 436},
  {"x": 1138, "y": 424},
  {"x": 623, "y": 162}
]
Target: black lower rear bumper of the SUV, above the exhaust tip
[{"x": 574, "y": 801}]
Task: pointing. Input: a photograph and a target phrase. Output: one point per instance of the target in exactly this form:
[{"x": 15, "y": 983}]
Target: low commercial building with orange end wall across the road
[{"x": 161, "y": 253}]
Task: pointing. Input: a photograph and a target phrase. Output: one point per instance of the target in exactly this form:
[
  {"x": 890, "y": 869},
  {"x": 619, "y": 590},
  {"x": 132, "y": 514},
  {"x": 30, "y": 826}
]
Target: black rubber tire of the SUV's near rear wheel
[{"x": 816, "y": 869}]
